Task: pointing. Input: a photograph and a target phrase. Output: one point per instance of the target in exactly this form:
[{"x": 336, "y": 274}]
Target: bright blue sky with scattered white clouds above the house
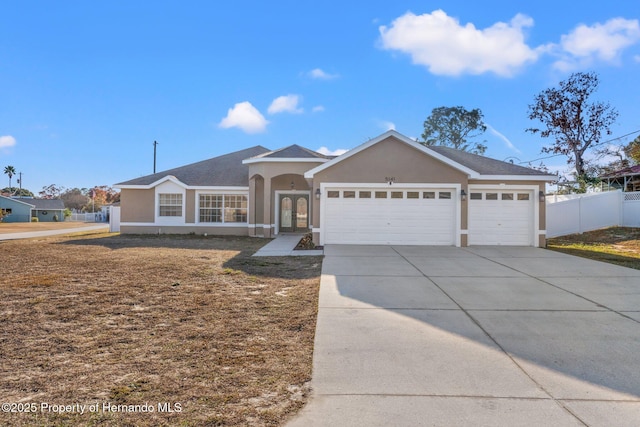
[{"x": 86, "y": 87}]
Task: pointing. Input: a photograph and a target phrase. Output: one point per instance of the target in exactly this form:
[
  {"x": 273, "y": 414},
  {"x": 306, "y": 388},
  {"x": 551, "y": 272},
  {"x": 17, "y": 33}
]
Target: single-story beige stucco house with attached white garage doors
[{"x": 389, "y": 190}]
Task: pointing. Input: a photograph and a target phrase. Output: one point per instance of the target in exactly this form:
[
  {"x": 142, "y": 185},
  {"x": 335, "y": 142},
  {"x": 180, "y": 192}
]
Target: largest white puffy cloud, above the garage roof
[{"x": 445, "y": 47}]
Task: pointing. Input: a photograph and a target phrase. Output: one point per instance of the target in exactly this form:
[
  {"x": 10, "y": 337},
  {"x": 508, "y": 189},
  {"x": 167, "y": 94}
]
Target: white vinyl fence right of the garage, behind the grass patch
[{"x": 588, "y": 212}]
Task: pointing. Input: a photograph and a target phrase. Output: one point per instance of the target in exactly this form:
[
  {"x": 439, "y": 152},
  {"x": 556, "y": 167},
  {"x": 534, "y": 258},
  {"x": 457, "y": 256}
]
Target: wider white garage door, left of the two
[{"x": 423, "y": 216}]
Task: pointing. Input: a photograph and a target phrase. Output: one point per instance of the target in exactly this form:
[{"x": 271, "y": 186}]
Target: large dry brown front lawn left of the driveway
[{"x": 186, "y": 323}]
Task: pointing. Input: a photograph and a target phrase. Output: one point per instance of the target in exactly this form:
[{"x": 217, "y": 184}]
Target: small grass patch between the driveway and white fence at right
[{"x": 616, "y": 245}]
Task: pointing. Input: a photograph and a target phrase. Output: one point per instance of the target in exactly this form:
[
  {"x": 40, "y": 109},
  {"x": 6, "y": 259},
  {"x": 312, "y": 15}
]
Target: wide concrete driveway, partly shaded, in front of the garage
[{"x": 474, "y": 336}]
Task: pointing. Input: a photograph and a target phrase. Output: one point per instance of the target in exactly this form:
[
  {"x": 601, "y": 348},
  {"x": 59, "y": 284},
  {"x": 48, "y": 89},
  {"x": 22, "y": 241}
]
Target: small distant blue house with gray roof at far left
[{"x": 22, "y": 209}]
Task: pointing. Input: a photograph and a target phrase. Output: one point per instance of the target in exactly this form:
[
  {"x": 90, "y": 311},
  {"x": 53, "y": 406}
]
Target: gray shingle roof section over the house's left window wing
[{"x": 225, "y": 170}]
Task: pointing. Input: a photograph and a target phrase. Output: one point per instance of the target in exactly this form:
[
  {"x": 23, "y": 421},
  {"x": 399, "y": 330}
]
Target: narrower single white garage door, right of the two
[{"x": 501, "y": 217}]
